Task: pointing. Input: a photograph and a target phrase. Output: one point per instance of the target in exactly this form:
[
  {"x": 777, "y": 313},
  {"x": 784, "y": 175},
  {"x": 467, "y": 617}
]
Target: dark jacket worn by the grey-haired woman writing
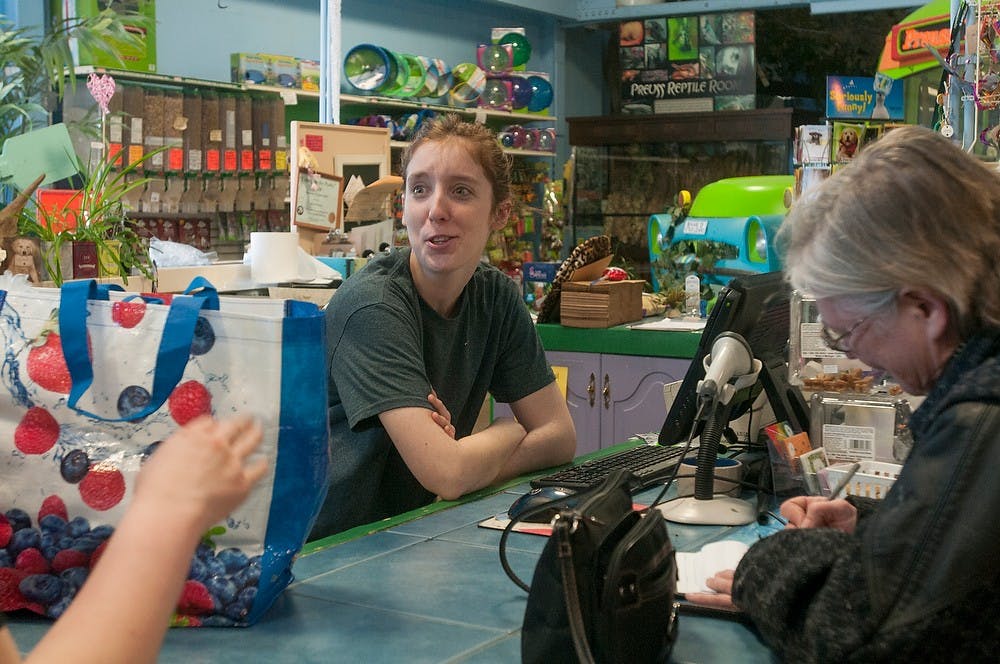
[{"x": 919, "y": 580}]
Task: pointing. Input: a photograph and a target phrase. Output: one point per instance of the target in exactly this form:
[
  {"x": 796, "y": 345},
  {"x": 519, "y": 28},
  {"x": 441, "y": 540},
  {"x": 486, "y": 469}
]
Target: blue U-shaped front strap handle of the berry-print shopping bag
[{"x": 171, "y": 357}]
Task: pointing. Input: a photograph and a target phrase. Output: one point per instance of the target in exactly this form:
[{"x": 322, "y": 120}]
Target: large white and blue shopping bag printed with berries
[{"x": 93, "y": 380}]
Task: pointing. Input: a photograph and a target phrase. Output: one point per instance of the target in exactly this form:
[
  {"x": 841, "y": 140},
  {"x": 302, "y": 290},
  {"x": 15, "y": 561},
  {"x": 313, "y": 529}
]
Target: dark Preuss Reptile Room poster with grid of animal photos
[{"x": 688, "y": 64}]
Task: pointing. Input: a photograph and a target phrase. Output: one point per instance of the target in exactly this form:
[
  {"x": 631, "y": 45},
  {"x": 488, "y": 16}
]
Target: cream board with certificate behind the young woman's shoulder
[{"x": 322, "y": 154}]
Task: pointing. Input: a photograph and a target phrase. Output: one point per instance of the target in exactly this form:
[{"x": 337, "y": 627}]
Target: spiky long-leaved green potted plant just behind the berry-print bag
[{"x": 102, "y": 218}]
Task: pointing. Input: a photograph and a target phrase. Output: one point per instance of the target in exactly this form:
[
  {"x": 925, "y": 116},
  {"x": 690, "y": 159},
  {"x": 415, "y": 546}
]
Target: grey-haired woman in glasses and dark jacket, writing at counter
[{"x": 901, "y": 250}]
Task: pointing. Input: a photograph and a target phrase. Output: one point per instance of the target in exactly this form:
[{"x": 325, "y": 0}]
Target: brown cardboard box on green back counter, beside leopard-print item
[{"x": 600, "y": 304}]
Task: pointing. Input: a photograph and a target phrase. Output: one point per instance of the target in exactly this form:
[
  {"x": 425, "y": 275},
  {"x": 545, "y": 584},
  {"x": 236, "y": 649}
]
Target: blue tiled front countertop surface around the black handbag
[{"x": 429, "y": 590}]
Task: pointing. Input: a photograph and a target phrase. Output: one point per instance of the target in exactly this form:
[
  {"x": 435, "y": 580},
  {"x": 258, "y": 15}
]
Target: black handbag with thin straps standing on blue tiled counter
[{"x": 603, "y": 588}]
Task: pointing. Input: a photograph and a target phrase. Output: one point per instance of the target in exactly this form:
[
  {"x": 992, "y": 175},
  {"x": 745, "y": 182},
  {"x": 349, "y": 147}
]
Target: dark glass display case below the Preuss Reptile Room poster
[{"x": 626, "y": 168}]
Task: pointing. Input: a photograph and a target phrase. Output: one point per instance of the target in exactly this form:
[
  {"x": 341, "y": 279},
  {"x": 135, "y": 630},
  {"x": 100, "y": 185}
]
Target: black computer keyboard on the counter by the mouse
[{"x": 649, "y": 463}]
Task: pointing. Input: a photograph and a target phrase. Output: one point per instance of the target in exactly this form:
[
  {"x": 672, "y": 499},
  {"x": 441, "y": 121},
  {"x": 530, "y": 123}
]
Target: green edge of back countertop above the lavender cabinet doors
[{"x": 619, "y": 340}]
